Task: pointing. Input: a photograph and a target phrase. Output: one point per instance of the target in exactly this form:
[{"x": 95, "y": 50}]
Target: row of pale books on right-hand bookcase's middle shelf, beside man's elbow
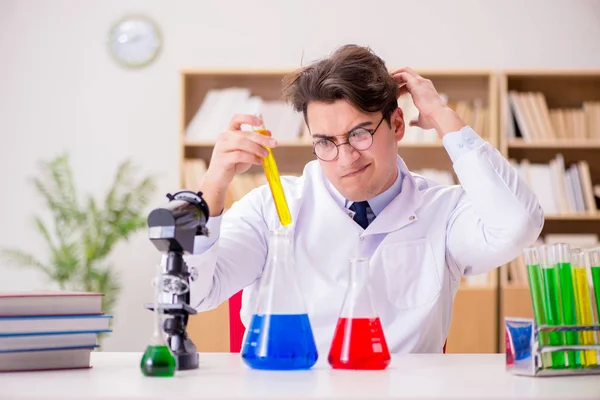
[{"x": 561, "y": 189}]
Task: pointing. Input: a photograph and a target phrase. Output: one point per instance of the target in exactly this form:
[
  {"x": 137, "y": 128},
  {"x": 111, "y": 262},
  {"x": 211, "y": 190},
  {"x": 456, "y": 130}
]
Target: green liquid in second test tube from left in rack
[{"x": 552, "y": 311}]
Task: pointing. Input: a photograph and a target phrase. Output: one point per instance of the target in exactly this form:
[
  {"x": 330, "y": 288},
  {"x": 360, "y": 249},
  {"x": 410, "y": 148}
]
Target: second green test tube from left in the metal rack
[{"x": 551, "y": 296}]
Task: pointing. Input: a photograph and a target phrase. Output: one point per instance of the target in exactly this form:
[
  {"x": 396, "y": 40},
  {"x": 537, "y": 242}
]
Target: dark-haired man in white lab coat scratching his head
[{"x": 359, "y": 199}]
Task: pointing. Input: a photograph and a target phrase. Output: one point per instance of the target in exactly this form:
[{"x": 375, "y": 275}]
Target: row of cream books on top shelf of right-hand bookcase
[{"x": 532, "y": 120}]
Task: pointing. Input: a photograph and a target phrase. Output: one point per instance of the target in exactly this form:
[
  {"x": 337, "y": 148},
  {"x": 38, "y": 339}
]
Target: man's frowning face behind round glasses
[{"x": 357, "y": 175}]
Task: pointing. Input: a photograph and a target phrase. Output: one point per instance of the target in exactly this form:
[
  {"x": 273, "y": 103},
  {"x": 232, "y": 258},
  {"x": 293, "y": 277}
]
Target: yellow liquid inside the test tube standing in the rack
[{"x": 583, "y": 304}]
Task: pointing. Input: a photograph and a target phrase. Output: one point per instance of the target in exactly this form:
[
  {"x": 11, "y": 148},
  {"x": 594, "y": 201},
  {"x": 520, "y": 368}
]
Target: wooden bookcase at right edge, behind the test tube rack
[{"x": 549, "y": 122}]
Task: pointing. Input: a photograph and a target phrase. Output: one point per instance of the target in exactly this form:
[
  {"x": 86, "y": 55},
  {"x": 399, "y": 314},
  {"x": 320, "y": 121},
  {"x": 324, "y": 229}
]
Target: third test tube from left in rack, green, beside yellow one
[{"x": 562, "y": 258}]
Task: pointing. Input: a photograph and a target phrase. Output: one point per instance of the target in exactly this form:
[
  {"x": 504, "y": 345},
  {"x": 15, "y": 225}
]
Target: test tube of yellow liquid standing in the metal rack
[{"x": 583, "y": 305}]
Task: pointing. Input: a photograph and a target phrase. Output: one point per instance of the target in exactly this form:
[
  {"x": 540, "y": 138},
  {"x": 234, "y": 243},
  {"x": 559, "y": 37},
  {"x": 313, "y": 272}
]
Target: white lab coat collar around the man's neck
[{"x": 400, "y": 212}]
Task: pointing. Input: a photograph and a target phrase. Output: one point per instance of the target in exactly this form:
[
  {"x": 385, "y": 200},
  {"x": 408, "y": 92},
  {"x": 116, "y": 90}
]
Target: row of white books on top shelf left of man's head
[{"x": 220, "y": 105}]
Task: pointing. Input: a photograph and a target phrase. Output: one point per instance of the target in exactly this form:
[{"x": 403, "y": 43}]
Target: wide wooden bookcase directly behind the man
[{"x": 474, "y": 94}]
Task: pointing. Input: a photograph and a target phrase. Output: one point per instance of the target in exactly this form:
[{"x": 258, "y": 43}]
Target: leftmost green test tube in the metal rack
[{"x": 536, "y": 290}]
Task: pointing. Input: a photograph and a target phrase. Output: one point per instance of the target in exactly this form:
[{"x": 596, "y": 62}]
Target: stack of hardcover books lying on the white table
[{"x": 49, "y": 330}]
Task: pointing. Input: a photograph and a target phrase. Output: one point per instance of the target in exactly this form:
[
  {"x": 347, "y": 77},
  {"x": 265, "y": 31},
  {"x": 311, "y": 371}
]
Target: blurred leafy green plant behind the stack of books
[{"x": 83, "y": 232}]
